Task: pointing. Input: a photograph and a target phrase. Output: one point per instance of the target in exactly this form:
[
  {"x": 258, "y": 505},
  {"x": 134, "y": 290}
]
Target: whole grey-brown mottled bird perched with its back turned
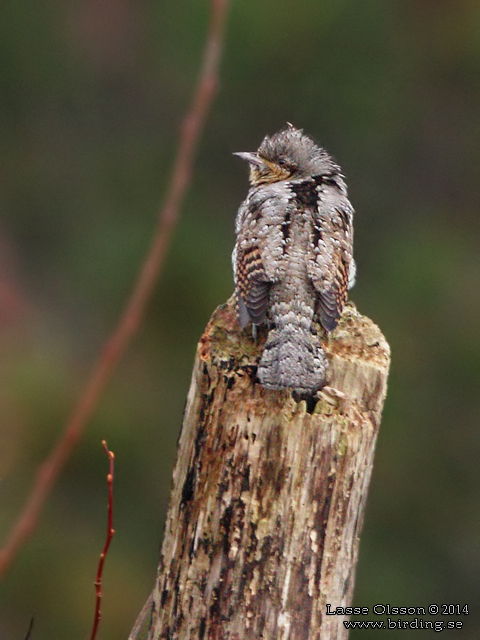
[{"x": 293, "y": 259}]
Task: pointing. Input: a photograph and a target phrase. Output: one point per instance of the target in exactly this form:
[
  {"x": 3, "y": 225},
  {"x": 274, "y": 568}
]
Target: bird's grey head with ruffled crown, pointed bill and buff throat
[{"x": 287, "y": 155}]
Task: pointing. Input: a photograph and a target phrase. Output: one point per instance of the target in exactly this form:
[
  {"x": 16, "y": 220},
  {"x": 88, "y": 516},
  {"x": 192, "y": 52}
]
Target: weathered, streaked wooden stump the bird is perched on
[{"x": 268, "y": 493}]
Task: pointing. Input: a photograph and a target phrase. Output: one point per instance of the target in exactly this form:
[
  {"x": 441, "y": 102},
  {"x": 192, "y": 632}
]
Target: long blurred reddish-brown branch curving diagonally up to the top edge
[{"x": 135, "y": 308}]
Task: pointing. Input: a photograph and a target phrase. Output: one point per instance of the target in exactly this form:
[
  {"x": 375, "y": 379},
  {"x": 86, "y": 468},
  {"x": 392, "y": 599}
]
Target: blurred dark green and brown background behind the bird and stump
[{"x": 92, "y": 94}]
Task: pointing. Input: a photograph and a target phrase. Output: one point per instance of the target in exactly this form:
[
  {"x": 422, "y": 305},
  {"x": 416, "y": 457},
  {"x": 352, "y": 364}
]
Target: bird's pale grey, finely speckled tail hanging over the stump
[{"x": 293, "y": 359}]
